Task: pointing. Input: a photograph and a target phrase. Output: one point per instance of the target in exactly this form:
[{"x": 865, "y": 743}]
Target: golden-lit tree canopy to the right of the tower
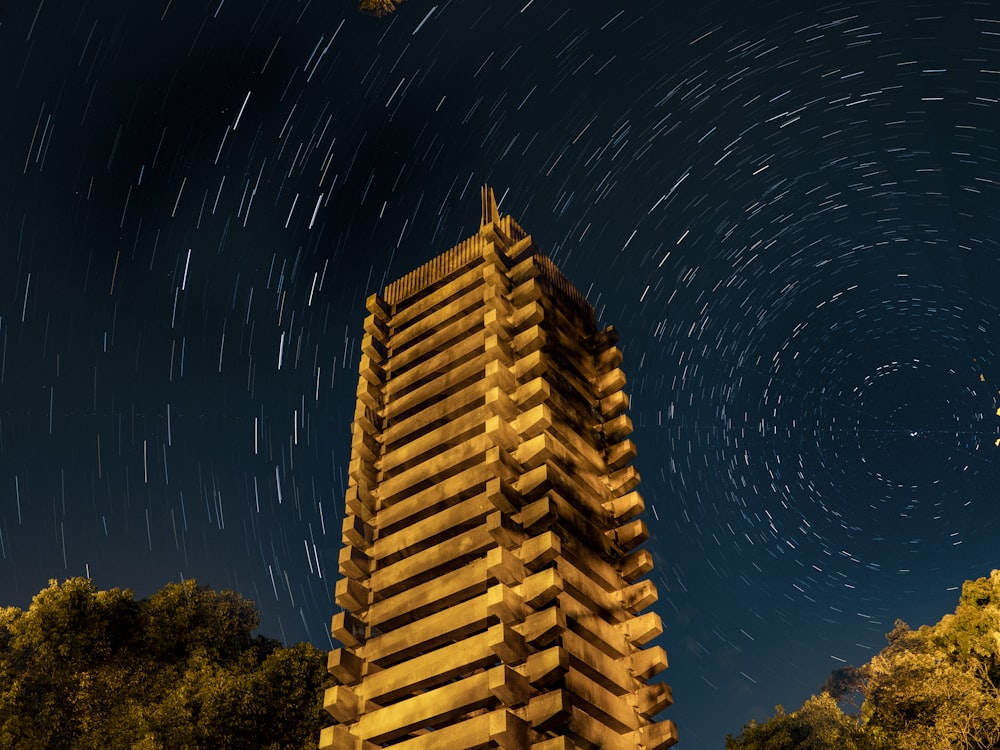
[{"x": 934, "y": 687}]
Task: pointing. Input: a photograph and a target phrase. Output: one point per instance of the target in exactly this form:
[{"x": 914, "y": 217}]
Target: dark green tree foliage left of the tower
[{"x": 84, "y": 669}]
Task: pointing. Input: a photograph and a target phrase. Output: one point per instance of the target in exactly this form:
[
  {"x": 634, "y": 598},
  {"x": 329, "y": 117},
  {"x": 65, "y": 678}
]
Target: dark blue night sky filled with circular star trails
[{"x": 791, "y": 216}]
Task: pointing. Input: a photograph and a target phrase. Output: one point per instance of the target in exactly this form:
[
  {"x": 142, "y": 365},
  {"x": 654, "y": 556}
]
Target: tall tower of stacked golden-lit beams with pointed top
[{"x": 492, "y": 592}]
